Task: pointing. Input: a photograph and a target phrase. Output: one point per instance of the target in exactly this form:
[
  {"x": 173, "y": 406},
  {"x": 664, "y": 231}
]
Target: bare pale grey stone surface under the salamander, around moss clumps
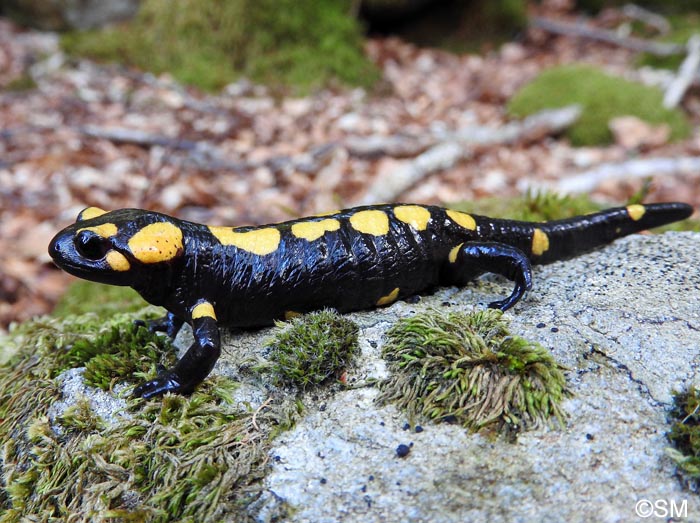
[{"x": 625, "y": 319}]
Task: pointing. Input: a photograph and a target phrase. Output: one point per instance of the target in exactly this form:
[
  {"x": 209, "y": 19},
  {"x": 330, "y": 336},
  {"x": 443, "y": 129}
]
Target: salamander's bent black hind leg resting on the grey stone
[{"x": 469, "y": 260}]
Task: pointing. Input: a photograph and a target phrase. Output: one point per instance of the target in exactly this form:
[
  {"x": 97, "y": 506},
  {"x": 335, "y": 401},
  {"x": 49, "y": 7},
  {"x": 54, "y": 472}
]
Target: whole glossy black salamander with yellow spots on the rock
[{"x": 353, "y": 259}]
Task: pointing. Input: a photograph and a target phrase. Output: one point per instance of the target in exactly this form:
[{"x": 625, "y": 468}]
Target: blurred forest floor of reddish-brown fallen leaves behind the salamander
[{"x": 74, "y": 133}]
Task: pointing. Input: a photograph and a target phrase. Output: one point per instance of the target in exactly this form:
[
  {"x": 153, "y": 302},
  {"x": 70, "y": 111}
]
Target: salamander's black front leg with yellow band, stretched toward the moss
[{"x": 197, "y": 362}]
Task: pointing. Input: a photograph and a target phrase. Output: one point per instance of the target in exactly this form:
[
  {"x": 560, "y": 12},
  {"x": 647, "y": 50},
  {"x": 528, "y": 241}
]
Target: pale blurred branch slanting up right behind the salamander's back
[{"x": 459, "y": 145}]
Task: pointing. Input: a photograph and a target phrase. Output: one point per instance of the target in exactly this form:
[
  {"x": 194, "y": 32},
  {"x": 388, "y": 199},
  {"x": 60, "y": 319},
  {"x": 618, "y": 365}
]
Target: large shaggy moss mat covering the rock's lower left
[{"x": 197, "y": 458}]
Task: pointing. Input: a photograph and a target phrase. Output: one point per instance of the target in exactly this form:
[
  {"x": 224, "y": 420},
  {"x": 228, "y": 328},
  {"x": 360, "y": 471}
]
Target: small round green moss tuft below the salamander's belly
[{"x": 312, "y": 349}]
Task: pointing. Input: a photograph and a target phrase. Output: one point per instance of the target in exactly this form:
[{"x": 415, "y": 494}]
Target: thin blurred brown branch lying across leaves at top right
[{"x": 603, "y": 35}]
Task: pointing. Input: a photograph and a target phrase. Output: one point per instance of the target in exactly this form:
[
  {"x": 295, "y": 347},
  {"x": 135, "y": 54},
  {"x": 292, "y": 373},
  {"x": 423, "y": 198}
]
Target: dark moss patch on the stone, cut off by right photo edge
[{"x": 685, "y": 436}]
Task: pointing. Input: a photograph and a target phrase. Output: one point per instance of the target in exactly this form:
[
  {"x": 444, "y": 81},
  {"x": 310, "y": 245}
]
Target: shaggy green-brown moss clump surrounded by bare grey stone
[{"x": 469, "y": 368}]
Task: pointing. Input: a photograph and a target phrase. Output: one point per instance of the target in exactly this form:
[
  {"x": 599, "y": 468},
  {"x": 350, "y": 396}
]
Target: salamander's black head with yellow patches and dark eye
[{"x": 121, "y": 247}]
